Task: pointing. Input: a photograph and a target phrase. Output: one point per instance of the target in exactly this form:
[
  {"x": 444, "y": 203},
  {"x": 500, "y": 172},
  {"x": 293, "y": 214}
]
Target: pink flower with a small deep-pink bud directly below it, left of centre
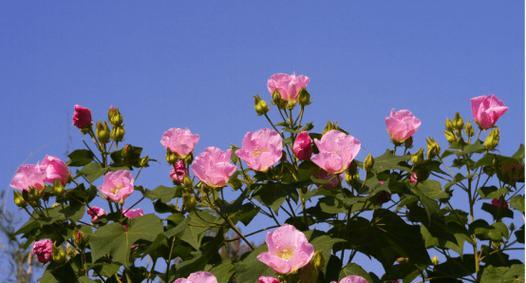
[{"x": 179, "y": 141}]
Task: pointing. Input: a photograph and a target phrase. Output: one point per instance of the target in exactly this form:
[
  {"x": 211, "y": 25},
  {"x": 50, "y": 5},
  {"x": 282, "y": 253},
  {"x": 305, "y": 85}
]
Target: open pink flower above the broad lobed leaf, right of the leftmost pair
[{"x": 117, "y": 185}]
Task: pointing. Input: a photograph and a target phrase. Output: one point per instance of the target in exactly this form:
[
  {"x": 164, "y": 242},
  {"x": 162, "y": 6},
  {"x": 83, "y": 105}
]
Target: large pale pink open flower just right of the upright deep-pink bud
[{"x": 336, "y": 151}]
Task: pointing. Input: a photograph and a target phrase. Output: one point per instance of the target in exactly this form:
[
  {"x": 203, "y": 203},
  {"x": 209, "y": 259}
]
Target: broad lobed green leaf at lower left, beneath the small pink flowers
[{"x": 115, "y": 240}]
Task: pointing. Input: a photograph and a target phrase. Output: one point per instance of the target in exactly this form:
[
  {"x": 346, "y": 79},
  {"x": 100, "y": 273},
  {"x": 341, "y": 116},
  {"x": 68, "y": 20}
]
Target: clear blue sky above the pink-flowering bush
[{"x": 175, "y": 64}]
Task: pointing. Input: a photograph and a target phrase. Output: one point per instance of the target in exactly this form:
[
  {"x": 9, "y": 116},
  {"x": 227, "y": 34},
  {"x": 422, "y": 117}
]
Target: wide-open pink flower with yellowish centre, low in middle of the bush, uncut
[{"x": 288, "y": 250}]
